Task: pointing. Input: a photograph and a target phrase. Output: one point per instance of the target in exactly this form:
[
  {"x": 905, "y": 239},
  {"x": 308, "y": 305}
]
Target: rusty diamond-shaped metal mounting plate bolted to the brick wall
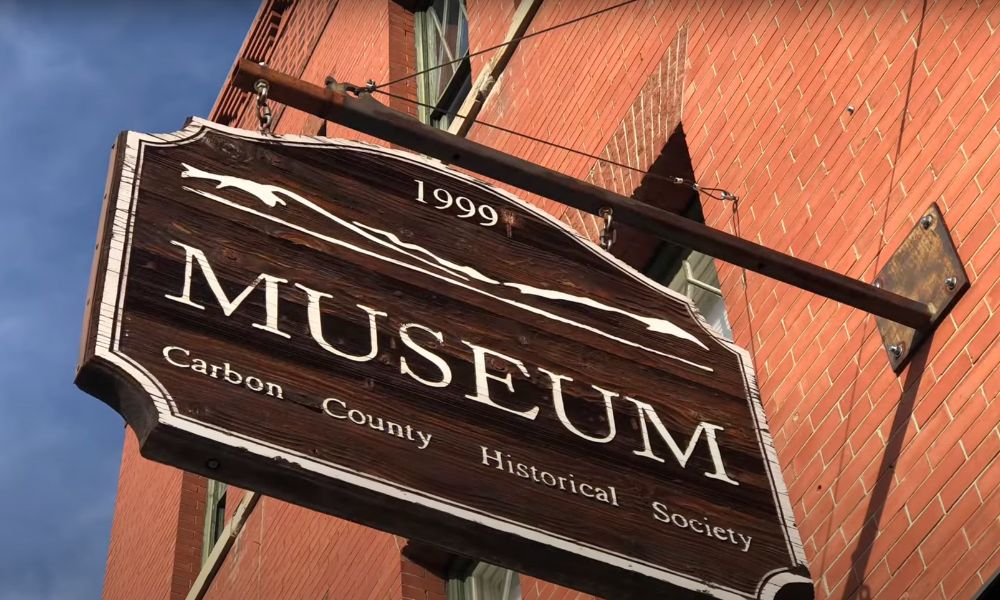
[{"x": 926, "y": 268}]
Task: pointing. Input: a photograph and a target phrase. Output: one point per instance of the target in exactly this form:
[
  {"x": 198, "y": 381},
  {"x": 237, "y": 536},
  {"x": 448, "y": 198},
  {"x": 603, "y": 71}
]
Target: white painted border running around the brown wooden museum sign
[{"x": 108, "y": 312}]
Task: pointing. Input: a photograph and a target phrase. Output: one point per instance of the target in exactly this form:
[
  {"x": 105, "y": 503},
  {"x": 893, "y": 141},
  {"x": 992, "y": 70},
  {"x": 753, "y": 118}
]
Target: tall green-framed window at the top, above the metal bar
[{"x": 442, "y": 34}]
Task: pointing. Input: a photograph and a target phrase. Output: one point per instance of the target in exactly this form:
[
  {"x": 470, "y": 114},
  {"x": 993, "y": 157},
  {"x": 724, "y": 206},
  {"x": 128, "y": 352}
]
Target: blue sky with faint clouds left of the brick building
[{"x": 73, "y": 75}]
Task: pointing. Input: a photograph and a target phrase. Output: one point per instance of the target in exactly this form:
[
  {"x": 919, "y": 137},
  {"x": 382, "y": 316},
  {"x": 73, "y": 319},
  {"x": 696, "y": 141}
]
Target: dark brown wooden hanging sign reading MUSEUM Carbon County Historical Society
[{"x": 364, "y": 332}]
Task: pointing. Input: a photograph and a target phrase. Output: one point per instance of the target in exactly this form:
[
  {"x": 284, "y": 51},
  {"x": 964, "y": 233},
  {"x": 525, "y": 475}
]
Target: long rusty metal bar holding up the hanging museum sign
[{"x": 368, "y": 116}]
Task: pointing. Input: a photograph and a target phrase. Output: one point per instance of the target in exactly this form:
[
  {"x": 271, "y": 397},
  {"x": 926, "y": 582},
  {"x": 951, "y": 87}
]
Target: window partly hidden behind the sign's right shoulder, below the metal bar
[{"x": 693, "y": 274}]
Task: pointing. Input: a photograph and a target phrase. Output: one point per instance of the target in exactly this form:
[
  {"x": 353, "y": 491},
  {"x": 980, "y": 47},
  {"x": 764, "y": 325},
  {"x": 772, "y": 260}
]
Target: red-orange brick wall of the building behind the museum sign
[{"x": 893, "y": 479}]
